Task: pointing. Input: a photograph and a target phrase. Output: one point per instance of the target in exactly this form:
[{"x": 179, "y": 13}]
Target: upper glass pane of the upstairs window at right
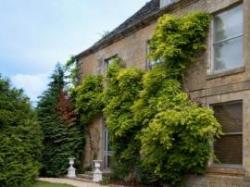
[{"x": 228, "y": 24}]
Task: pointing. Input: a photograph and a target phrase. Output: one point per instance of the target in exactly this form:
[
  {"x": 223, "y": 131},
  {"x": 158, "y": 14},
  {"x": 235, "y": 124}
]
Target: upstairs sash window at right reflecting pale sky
[{"x": 228, "y": 40}]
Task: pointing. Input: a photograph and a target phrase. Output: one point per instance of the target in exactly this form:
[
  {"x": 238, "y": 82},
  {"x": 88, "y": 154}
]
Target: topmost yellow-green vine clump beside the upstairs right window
[{"x": 177, "y": 41}]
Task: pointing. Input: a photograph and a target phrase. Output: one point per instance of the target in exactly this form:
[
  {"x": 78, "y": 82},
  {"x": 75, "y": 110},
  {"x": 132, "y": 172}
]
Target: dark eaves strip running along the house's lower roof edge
[{"x": 131, "y": 29}]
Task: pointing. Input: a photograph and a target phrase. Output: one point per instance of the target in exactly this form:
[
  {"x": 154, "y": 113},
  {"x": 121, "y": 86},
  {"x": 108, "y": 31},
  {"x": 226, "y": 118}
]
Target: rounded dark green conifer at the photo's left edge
[{"x": 20, "y": 138}]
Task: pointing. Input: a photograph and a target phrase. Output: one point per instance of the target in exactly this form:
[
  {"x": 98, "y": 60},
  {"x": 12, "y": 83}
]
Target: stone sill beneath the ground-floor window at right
[{"x": 226, "y": 169}]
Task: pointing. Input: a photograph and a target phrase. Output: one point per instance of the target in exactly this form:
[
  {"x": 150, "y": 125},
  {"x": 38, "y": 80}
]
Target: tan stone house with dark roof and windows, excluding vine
[{"x": 219, "y": 79}]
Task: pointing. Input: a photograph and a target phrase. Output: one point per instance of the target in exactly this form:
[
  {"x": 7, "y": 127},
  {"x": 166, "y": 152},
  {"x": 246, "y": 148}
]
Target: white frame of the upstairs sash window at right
[{"x": 212, "y": 44}]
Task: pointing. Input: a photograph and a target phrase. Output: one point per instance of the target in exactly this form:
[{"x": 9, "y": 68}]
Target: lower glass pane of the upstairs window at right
[{"x": 228, "y": 54}]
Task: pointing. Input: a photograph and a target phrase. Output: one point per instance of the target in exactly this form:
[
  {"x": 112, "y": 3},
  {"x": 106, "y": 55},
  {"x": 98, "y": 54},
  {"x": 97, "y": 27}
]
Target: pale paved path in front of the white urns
[{"x": 70, "y": 182}]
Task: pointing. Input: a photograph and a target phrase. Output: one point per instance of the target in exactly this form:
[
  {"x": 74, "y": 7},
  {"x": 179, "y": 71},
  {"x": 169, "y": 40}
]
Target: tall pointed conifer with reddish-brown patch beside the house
[{"x": 62, "y": 134}]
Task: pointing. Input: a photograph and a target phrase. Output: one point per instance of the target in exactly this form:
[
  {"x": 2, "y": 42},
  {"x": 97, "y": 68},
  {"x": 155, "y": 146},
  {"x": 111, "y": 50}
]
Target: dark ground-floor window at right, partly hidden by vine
[{"x": 228, "y": 148}]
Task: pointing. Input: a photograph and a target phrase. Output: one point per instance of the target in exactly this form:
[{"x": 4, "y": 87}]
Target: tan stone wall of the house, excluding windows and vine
[{"x": 202, "y": 86}]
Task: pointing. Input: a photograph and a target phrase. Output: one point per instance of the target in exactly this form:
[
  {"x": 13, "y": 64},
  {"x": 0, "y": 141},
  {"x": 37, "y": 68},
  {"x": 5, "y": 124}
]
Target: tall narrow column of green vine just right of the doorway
[{"x": 123, "y": 86}]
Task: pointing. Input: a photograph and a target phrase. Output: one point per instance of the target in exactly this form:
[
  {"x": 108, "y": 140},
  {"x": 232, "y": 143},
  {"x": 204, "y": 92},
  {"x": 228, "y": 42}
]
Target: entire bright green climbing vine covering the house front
[{"x": 157, "y": 132}]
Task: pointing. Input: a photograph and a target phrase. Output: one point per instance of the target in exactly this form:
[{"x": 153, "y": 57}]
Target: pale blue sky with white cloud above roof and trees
[{"x": 37, "y": 34}]
